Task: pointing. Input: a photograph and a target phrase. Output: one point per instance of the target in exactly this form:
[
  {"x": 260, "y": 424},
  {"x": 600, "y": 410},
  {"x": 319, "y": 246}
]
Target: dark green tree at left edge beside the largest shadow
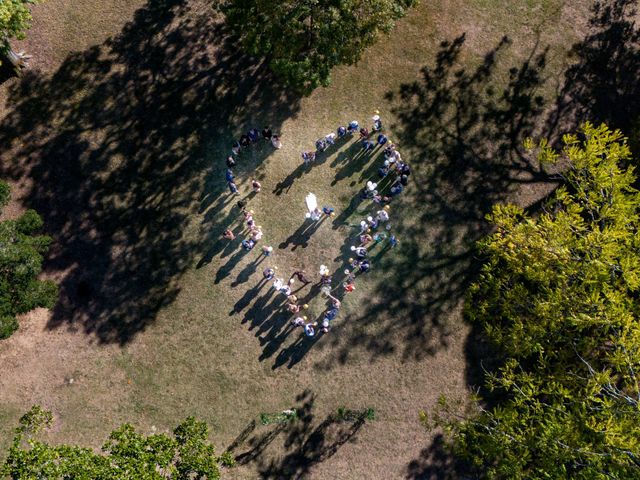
[{"x": 20, "y": 263}]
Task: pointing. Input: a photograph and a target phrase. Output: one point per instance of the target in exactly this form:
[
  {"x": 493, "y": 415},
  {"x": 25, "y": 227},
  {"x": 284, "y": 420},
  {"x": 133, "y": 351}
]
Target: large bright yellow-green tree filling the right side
[{"x": 558, "y": 298}]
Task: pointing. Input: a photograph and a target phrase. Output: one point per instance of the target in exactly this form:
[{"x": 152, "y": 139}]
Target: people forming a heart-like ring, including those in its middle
[{"x": 370, "y": 233}]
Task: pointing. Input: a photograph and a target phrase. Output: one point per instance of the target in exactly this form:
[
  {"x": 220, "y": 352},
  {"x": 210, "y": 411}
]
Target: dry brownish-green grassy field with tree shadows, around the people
[{"x": 118, "y": 136}]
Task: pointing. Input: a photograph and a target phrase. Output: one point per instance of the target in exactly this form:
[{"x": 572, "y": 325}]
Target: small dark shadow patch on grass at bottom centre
[{"x": 306, "y": 441}]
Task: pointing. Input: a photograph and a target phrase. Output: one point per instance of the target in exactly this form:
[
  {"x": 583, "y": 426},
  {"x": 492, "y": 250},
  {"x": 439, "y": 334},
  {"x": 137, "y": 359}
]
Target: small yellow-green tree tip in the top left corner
[{"x": 15, "y": 20}]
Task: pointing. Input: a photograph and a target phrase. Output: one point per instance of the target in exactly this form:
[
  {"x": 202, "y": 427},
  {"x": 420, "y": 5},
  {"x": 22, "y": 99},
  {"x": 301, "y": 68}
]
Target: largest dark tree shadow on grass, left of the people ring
[{"x": 113, "y": 151}]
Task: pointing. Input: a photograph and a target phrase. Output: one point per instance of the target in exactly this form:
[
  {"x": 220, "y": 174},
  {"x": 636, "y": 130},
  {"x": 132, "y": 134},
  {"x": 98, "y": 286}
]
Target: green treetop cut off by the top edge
[{"x": 304, "y": 39}]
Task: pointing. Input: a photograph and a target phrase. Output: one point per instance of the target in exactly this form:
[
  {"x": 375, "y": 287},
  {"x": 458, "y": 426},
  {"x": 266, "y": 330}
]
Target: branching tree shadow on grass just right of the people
[{"x": 461, "y": 130}]
